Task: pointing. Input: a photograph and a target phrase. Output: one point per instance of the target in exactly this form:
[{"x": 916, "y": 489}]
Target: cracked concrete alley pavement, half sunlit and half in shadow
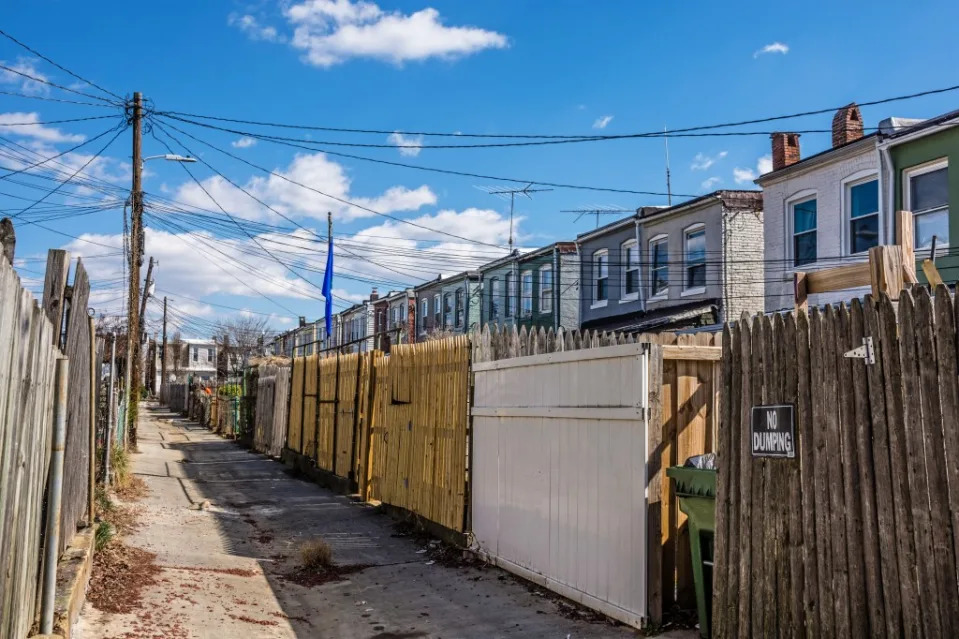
[{"x": 224, "y": 563}]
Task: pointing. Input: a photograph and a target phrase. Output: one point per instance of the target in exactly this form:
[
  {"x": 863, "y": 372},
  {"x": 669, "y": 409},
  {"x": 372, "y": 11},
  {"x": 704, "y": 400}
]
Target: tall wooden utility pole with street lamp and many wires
[{"x": 136, "y": 257}]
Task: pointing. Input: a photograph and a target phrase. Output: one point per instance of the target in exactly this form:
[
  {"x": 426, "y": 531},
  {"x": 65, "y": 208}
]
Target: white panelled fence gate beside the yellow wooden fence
[{"x": 559, "y": 473}]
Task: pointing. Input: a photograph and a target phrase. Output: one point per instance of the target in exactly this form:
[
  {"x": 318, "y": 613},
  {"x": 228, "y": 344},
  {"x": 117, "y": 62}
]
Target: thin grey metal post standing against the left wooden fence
[{"x": 55, "y": 495}]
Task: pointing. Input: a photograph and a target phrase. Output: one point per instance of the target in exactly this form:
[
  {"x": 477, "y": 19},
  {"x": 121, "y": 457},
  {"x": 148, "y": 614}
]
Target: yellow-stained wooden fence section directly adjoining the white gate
[{"x": 419, "y": 430}]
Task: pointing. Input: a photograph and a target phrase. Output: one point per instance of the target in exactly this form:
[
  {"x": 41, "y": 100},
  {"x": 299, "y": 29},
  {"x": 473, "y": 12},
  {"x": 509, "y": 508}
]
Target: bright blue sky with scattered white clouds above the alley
[{"x": 243, "y": 230}]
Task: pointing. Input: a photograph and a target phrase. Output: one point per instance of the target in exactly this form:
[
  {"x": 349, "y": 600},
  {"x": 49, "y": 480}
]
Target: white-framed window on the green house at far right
[{"x": 927, "y": 196}]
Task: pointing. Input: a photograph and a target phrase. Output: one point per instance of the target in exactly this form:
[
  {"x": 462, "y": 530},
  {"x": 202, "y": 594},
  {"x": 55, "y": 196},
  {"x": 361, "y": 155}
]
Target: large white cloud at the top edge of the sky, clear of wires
[{"x": 329, "y": 32}]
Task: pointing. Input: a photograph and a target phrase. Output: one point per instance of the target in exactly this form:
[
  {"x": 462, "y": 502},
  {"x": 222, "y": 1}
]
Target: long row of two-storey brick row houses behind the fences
[{"x": 697, "y": 263}]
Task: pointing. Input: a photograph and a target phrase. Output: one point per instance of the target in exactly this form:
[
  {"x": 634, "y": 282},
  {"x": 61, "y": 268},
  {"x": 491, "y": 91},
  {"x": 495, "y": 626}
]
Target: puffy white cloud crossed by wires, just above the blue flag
[{"x": 313, "y": 170}]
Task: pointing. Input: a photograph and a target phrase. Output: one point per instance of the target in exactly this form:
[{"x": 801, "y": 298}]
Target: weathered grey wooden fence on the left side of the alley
[{"x": 30, "y": 343}]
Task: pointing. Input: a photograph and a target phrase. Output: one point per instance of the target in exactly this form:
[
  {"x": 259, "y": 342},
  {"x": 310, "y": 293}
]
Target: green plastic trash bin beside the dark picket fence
[{"x": 696, "y": 489}]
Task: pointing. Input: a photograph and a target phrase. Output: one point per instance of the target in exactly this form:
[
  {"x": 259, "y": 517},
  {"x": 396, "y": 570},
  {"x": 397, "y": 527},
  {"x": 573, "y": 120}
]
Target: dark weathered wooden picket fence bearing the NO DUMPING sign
[{"x": 856, "y": 534}]
